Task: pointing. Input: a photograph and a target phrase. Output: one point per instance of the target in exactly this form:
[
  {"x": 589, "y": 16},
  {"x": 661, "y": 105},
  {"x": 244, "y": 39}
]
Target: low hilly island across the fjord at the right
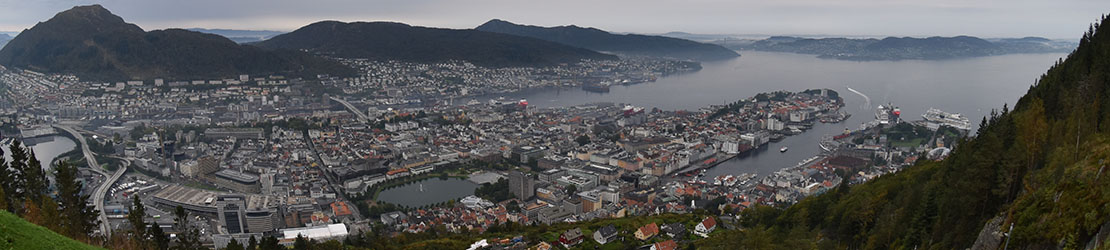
[{"x": 934, "y": 48}]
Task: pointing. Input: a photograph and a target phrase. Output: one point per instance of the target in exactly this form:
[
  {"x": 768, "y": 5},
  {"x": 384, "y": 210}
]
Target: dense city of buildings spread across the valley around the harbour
[{"x": 271, "y": 156}]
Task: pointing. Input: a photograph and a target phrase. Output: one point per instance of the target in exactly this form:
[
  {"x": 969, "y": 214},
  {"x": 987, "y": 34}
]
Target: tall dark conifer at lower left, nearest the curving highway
[{"x": 80, "y": 218}]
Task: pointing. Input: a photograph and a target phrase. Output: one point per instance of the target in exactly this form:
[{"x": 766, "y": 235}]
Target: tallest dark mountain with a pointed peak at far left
[{"x": 94, "y": 44}]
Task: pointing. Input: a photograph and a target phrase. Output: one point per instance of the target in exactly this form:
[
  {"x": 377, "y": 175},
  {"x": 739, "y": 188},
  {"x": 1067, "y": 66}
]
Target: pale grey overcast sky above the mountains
[{"x": 1062, "y": 19}]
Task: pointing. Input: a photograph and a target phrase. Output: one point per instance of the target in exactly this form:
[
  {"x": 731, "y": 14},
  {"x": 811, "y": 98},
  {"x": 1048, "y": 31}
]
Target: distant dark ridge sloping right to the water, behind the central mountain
[{"x": 630, "y": 45}]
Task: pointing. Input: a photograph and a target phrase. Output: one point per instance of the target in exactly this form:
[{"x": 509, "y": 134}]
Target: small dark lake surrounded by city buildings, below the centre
[{"x": 430, "y": 192}]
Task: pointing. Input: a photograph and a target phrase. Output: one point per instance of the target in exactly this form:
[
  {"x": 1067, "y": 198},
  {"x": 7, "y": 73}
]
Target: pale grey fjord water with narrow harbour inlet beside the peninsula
[{"x": 972, "y": 87}]
